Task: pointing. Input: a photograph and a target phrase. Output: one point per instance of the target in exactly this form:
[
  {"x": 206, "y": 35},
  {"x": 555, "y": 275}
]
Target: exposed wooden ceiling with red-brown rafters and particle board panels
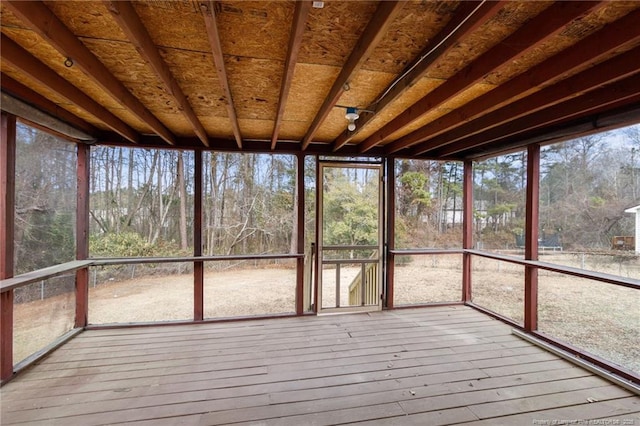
[{"x": 433, "y": 79}]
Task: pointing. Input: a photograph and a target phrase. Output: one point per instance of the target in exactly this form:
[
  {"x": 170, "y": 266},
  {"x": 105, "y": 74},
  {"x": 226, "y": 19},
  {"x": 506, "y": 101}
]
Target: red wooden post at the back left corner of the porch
[{"x": 82, "y": 235}]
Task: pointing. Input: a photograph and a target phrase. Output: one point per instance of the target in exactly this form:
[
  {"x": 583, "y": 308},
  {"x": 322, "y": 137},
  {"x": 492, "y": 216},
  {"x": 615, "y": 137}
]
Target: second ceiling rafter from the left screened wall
[{"x": 15, "y": 55}]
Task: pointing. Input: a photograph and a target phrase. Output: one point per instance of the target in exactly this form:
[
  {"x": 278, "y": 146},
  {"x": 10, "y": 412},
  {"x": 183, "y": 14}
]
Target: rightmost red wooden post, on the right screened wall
[{"x": 531, "y": 238}]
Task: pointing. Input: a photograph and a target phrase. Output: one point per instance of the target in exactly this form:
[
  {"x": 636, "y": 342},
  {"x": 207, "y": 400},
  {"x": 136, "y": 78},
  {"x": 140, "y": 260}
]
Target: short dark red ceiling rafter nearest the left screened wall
[{"x": 35, "y": 99}]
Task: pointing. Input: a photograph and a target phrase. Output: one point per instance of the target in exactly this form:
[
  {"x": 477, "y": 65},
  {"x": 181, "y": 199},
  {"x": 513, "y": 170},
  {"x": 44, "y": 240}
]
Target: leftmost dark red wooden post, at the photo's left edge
[{"x": 7, "y": 211}]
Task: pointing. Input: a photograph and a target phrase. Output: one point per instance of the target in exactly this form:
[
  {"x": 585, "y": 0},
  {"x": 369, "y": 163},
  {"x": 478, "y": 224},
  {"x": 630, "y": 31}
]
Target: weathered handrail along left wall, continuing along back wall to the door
[{"x": 74, "y": 265}]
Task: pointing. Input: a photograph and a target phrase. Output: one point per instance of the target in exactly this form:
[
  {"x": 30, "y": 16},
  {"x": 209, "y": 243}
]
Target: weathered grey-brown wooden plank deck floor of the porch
[{"x": 430, "y": 366}]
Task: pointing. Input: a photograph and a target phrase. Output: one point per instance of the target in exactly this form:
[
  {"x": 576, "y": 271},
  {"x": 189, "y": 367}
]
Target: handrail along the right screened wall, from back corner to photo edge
[{"x": 568, "y": 270}]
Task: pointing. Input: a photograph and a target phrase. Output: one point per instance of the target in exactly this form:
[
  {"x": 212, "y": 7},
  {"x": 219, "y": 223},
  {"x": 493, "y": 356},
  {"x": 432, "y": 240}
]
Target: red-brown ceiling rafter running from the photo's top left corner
[{"x": 44, "y": 22}]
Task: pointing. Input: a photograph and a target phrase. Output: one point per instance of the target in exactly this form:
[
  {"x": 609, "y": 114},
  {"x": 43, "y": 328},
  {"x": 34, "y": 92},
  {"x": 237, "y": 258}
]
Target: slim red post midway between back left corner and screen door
[{"x": 198, "y": 266}]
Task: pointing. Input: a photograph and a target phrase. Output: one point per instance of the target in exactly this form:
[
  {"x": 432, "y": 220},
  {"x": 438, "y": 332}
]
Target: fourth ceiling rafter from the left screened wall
[{"x": 125, "y": 15}]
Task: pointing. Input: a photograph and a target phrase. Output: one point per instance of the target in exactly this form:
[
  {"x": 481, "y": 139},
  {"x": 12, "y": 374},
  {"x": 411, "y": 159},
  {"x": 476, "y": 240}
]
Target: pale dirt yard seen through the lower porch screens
[{"x": 601, "y": 318}]
